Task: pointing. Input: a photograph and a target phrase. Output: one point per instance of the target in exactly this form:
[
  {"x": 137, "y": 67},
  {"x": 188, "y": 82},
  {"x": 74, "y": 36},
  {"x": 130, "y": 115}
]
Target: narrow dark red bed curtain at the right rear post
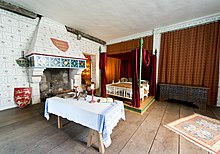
[{"x": 153, "y": 75}]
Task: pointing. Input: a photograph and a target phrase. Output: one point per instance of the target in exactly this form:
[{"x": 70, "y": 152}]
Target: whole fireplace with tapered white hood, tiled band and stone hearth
[{"x": 53, "y": 50}]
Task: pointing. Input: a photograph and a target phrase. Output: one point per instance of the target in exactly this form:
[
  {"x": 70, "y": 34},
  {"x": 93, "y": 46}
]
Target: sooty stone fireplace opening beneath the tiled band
[{"x": 53, "y": 82}]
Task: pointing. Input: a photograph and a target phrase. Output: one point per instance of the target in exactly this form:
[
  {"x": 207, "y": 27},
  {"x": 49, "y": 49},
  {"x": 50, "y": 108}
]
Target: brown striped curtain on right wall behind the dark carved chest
[{"x": 191, "y": 57}]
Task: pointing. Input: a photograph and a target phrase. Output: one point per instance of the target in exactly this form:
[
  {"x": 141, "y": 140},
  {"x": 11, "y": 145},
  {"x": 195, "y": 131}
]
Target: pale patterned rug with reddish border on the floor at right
[{"x": 201, "y": 130}]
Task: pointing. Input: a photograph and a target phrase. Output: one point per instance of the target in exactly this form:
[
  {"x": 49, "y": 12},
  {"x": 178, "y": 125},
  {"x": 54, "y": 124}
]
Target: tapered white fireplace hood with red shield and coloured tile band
[{"x": 52, "y": 47}]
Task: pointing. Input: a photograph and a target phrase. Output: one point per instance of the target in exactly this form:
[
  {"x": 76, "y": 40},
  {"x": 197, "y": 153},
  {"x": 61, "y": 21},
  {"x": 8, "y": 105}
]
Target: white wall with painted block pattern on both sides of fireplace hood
[{"x": 16, "y": 32}]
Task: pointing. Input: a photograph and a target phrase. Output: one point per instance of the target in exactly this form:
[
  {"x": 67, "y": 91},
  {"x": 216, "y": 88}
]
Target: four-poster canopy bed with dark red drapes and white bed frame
[{"x": 135, "y": 64}]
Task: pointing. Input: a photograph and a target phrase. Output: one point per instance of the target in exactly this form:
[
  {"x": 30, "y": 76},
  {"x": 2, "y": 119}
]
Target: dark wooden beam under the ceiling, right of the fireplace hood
[{"x": 77, "y": 32}]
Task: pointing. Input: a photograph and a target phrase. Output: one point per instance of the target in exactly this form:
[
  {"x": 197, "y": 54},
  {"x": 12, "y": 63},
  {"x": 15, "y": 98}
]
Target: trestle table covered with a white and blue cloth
[{"x": 101, "y": 117}]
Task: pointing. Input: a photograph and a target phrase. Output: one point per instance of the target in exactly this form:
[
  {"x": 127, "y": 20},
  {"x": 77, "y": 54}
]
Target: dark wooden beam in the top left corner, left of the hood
[{"x": 16, "y": 9}]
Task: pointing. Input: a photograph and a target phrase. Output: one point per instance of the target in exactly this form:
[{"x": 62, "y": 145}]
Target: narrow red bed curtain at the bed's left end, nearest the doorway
[{"x": 102, "y": 65}]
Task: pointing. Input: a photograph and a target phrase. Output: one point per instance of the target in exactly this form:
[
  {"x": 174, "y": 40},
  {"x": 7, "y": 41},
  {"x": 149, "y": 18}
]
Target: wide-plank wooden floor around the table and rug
[{"x": 27, "y": 131}]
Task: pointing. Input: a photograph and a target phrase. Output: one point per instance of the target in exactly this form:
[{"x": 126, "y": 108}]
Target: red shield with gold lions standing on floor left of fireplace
[{"x": 22, "y": 96}]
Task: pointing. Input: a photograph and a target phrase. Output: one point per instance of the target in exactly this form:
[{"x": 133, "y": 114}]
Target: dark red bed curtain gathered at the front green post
[{"x": 135, "y": 72}]
